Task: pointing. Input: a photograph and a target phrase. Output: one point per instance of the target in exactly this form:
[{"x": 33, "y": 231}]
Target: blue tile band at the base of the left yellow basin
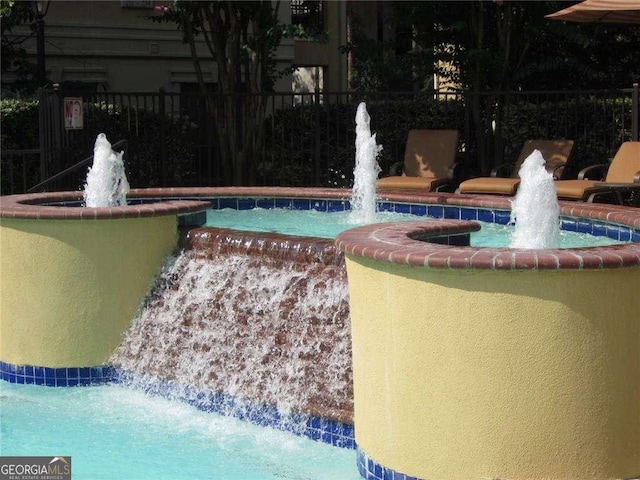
[{"x": 56, "y": 377}]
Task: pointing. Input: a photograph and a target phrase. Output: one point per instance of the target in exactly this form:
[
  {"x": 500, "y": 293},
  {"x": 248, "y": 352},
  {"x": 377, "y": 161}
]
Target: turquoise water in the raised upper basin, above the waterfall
[{"x": 329, "y": 224}]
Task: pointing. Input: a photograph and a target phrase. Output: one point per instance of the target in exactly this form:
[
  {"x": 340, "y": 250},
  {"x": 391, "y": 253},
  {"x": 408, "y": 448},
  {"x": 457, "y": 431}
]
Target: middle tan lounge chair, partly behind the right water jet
[{"x": 555, "y": 152}]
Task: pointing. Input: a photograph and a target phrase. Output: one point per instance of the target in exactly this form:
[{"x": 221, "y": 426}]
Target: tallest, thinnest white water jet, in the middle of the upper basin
[{"x": 363, "y": 198}]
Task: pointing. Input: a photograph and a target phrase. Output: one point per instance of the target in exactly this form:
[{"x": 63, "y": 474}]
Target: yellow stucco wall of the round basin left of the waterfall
[{"x": 69, "y": 289}]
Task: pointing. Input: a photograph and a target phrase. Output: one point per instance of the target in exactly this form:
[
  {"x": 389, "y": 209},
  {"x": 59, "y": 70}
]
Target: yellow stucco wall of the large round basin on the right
[{"x": 483, "y": 374}]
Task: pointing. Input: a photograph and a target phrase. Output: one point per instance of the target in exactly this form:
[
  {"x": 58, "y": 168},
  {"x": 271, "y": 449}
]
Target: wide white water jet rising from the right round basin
[{"x": 535, "y": 210}]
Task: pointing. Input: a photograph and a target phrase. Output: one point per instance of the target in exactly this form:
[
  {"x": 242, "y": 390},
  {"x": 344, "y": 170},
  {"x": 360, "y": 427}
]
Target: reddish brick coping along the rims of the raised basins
[{"x": 394, "y": 242}]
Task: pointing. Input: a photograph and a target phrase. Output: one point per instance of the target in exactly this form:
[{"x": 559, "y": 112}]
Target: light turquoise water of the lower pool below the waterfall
[{"x": 112, "y": 432}]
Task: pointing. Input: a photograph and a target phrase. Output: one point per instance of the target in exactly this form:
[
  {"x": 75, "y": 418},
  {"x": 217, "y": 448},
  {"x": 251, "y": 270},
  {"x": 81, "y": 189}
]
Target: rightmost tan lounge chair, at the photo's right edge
[{"x": 622, "y": 178}]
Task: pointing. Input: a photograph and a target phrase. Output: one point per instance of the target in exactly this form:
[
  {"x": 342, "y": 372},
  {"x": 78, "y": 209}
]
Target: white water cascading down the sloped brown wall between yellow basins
[{"x": 247, "y": 327}]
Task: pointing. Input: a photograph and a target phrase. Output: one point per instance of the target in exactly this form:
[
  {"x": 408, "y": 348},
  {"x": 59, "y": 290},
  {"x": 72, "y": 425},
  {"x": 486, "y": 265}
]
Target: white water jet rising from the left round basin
[{"x": 107, "y": 184}]
